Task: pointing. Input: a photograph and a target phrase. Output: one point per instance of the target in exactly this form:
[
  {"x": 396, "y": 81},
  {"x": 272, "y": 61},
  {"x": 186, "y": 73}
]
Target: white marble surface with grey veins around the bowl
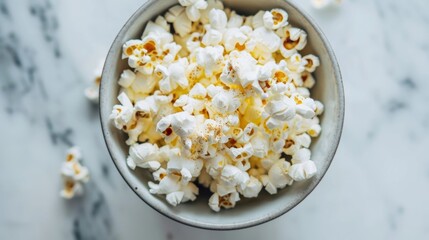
[{"x": 376, "y": 188}]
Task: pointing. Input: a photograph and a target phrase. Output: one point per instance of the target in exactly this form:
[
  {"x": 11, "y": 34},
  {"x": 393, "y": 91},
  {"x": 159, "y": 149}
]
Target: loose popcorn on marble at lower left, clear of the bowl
[{"x": 74, "y": 174}]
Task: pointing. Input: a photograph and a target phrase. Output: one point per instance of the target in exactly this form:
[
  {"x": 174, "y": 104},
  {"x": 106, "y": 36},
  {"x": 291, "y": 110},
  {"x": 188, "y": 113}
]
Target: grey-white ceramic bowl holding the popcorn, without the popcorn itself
[{"x": 248, "y": 212}]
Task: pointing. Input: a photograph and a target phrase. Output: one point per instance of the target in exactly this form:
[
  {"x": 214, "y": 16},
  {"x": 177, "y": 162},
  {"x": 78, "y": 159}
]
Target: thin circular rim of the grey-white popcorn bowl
[{"x": 250, "y": 223}]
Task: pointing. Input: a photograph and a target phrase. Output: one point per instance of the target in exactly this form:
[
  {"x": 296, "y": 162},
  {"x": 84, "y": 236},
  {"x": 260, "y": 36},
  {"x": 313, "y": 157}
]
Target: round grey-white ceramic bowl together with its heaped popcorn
[{"x": 221, "y": 114}]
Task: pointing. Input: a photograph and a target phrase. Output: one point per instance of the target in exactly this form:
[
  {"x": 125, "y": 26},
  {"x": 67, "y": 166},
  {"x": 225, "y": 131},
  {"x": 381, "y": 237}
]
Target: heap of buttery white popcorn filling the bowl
[{"x": 221, "y": 100}]
